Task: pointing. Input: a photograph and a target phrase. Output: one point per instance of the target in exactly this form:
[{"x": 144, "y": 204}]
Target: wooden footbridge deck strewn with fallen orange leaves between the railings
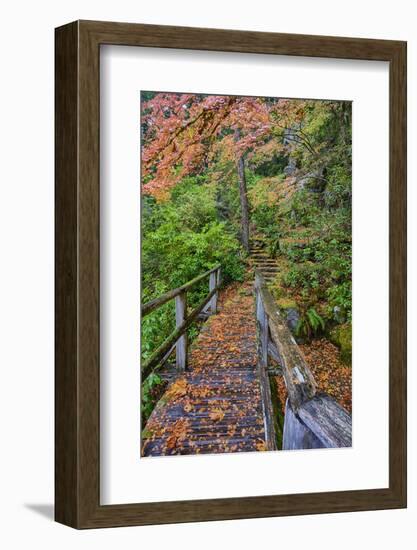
[{"x": 215, "y": 406}]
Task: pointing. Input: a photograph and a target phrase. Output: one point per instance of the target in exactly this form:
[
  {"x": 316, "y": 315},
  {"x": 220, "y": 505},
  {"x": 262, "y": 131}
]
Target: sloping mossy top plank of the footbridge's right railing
[{"x": 298, "y": 378}]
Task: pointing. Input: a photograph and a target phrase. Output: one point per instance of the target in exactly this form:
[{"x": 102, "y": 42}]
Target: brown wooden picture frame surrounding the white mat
[{"x": 77, "y": 403}]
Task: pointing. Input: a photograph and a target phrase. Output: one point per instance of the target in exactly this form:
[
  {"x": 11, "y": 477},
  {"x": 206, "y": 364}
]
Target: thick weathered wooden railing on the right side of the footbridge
[{"x": 312, "y": 420}]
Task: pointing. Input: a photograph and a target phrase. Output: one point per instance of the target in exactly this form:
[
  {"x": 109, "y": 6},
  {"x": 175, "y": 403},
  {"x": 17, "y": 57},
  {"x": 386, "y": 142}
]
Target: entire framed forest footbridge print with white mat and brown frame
[{"x": 230, "y": 274}]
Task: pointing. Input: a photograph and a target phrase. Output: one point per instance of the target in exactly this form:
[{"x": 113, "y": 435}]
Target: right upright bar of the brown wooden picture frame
[{"x": 398, "y": 273}]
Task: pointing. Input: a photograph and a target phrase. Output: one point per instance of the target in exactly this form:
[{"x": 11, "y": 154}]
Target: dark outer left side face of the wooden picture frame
[{"x": 66, "y": 409}]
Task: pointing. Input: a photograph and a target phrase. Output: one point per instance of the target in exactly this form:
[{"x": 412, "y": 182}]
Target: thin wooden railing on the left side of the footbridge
[{"x": 178, "y": 338}]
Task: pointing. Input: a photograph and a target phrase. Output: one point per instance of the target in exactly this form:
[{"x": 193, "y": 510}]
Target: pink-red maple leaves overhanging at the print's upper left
[{"x": 182, "y": 132}]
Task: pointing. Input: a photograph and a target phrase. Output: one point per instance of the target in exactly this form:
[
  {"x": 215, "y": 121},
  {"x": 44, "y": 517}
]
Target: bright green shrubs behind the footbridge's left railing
[{"x": 181, "y": 239}]
